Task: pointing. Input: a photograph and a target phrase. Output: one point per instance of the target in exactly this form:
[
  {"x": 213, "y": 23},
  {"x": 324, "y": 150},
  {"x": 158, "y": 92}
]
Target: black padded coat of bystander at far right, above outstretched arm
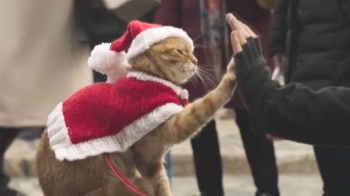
[{"x": 315, "y": 36}]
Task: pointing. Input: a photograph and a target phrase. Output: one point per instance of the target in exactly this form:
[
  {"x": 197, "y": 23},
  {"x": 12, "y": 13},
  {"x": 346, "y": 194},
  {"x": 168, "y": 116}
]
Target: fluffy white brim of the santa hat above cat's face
[{"x": 147, "y": 38}]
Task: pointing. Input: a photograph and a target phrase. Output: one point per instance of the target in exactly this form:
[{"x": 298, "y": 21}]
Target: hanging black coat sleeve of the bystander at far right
[{"x": 278, "y": 29}]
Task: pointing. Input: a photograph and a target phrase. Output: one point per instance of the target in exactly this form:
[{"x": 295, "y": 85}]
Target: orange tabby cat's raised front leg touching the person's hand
[{"x": 194, "y": 116}]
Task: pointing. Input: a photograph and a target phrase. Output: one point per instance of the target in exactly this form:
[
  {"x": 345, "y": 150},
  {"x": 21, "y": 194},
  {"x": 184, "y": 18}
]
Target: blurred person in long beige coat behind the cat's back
[{"x": 42, "y": 61}]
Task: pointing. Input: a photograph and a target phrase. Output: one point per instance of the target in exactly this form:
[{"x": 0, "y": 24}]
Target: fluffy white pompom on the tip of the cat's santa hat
[{"x": 106, "y": 61}]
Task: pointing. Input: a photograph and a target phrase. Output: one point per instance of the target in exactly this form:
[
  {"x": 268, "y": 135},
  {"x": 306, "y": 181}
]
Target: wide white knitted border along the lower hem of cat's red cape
[{"x": 65, "y": 150}]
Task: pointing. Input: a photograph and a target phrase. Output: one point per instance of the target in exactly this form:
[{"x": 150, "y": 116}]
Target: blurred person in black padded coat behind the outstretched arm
[{"x": 314, "y": 39}]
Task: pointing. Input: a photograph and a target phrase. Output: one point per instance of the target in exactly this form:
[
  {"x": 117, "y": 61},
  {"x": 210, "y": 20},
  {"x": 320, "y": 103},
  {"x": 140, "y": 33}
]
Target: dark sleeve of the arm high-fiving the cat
[{"x": 293, "y": 112}]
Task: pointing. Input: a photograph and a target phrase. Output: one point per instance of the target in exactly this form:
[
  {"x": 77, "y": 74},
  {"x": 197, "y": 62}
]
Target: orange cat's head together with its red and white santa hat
[{"x": 162, "y": 51}]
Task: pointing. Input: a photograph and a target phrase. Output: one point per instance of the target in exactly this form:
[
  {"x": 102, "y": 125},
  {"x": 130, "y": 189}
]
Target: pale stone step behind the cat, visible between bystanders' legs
[{"x": 292, "y": 158}]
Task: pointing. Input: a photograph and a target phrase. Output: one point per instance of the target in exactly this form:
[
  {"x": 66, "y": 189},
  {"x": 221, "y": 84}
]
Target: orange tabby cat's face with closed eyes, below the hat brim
[{"x": 171, "y": 59}]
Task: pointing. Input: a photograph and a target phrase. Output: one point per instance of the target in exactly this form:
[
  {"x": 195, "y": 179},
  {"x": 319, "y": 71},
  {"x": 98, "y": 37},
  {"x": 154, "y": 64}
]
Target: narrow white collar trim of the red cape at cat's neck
[{"x": 182, "y": 93}]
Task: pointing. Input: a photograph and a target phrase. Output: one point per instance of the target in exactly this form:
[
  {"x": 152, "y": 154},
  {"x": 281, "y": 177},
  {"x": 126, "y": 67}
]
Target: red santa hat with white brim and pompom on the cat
[{"x": 112, "y": 58}]
